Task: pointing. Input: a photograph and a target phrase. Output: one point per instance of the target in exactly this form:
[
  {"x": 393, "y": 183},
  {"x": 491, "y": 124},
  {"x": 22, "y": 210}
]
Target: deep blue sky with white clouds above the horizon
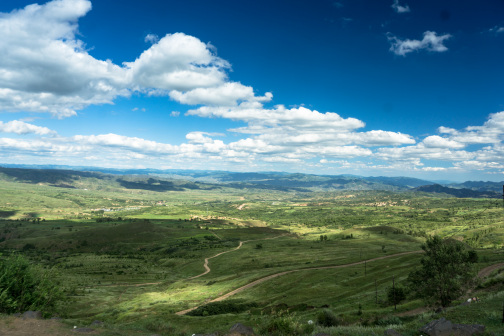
[{"x": 374, "y": 88}]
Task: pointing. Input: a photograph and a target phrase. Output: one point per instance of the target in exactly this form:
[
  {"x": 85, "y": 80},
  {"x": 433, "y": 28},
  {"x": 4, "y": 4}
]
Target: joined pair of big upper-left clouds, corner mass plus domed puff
[{"x": 45, "y": 68}]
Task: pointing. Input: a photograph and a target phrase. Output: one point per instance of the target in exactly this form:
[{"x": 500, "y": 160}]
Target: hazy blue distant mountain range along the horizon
[{"x": 179, "y": 179}]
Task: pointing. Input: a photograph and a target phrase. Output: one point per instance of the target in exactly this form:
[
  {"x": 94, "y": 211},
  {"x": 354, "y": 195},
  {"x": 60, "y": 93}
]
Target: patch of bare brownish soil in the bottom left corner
[{"x": 17, "y": 326}]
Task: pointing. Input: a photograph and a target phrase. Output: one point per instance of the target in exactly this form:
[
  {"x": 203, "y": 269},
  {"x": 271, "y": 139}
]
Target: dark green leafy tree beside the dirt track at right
[{"x": 446, "y": 271}]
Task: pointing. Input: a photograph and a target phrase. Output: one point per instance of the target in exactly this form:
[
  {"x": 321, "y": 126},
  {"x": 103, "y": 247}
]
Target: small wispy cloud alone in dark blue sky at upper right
[{"x": 431, "y": 42}]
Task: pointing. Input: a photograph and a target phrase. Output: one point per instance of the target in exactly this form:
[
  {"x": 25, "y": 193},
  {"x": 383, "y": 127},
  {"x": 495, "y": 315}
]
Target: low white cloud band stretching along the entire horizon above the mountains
[{"x": 282, "y": 144}]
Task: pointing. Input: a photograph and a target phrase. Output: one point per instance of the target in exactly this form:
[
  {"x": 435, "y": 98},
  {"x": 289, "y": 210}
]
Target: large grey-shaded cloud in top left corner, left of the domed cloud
[{"x": 44, "y": 68}]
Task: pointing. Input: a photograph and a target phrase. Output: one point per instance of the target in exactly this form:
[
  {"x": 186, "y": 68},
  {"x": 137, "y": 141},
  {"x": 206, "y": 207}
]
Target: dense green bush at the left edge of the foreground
[{"x": 27, "y": 287}]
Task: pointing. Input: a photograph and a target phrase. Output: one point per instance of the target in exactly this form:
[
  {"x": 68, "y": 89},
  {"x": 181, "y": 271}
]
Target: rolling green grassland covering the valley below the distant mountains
[{"x": 129, "y": 256}]
